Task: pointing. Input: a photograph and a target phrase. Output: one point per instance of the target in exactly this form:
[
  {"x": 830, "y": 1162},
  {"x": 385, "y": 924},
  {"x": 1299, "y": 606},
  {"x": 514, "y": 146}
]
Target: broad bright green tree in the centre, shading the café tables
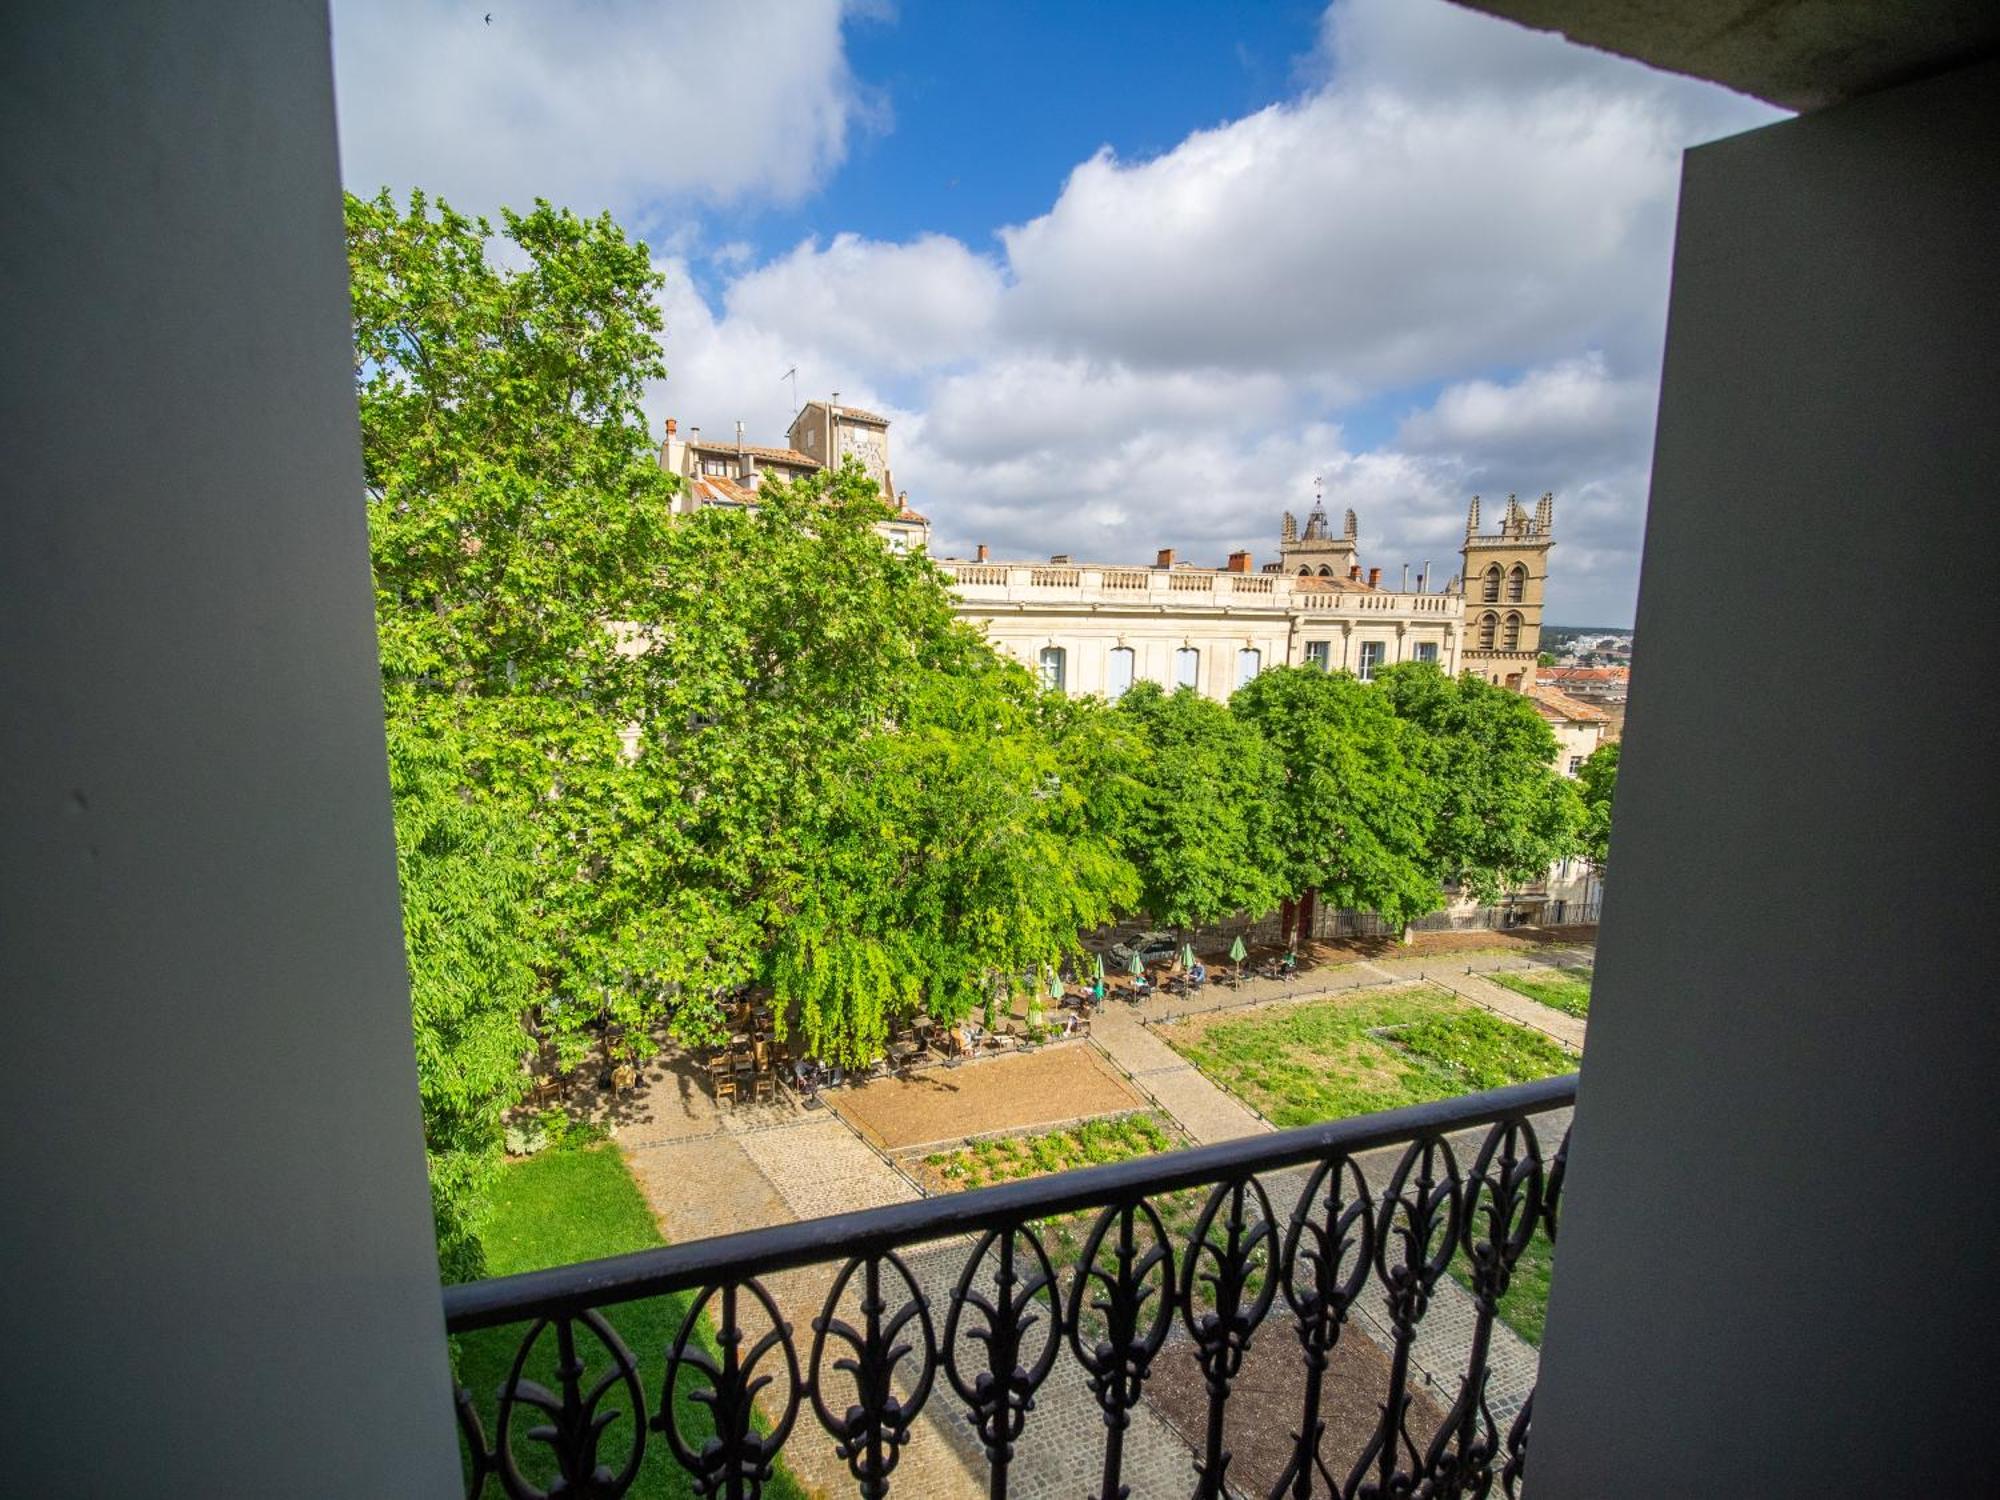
[{"x": 887, "y": 813}]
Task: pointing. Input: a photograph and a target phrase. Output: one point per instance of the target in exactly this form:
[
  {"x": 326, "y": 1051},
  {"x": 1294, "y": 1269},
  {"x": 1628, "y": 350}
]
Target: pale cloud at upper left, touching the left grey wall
[{"x": 621, "y": 105}]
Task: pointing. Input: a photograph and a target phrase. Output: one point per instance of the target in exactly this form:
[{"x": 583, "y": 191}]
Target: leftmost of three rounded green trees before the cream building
[{"x": 1201, "y": 829}]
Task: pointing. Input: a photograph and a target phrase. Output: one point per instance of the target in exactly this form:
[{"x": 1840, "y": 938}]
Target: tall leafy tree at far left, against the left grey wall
[{"x": 513, "y": 511}]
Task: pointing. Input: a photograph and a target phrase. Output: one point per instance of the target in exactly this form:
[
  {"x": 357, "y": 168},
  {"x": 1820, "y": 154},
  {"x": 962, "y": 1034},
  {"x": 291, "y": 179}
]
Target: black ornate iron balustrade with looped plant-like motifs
[{"x": 1361, "y": 1225}]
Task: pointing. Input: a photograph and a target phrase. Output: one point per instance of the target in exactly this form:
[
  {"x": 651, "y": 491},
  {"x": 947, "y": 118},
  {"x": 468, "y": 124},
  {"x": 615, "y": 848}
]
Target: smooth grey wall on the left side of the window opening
[{"x": 215, "y": 1235}]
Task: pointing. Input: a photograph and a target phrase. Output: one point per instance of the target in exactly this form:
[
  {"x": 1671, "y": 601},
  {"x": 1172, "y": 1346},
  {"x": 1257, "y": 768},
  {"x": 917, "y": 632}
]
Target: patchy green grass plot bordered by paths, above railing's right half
[{"x": 1357, "y": 1055}]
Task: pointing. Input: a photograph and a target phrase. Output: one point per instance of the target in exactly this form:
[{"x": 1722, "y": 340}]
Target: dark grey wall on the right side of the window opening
[{"x": 1779, "y": 1259}]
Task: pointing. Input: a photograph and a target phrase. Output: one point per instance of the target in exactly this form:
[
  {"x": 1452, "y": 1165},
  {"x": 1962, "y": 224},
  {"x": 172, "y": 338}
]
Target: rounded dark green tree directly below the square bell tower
[{"x": 1499, "y": 811}]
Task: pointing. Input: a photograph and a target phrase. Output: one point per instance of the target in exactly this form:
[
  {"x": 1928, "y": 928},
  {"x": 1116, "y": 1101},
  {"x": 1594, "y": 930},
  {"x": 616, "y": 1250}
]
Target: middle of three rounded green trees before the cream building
[{"x": 1351, "y": 815}]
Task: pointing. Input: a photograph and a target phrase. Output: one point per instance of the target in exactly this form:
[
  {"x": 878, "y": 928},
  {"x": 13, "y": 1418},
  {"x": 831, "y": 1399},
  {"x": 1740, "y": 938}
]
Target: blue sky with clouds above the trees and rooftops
[{"x": 1121, "y": 275}]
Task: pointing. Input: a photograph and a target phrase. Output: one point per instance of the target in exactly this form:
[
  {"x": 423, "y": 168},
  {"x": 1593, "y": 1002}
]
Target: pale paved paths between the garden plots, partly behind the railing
[{"x": 713, "y": 1171}]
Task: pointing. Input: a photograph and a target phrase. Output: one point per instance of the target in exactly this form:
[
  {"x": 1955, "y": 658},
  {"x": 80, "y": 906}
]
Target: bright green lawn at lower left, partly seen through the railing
[{"x": 551, "y": 1211}]
